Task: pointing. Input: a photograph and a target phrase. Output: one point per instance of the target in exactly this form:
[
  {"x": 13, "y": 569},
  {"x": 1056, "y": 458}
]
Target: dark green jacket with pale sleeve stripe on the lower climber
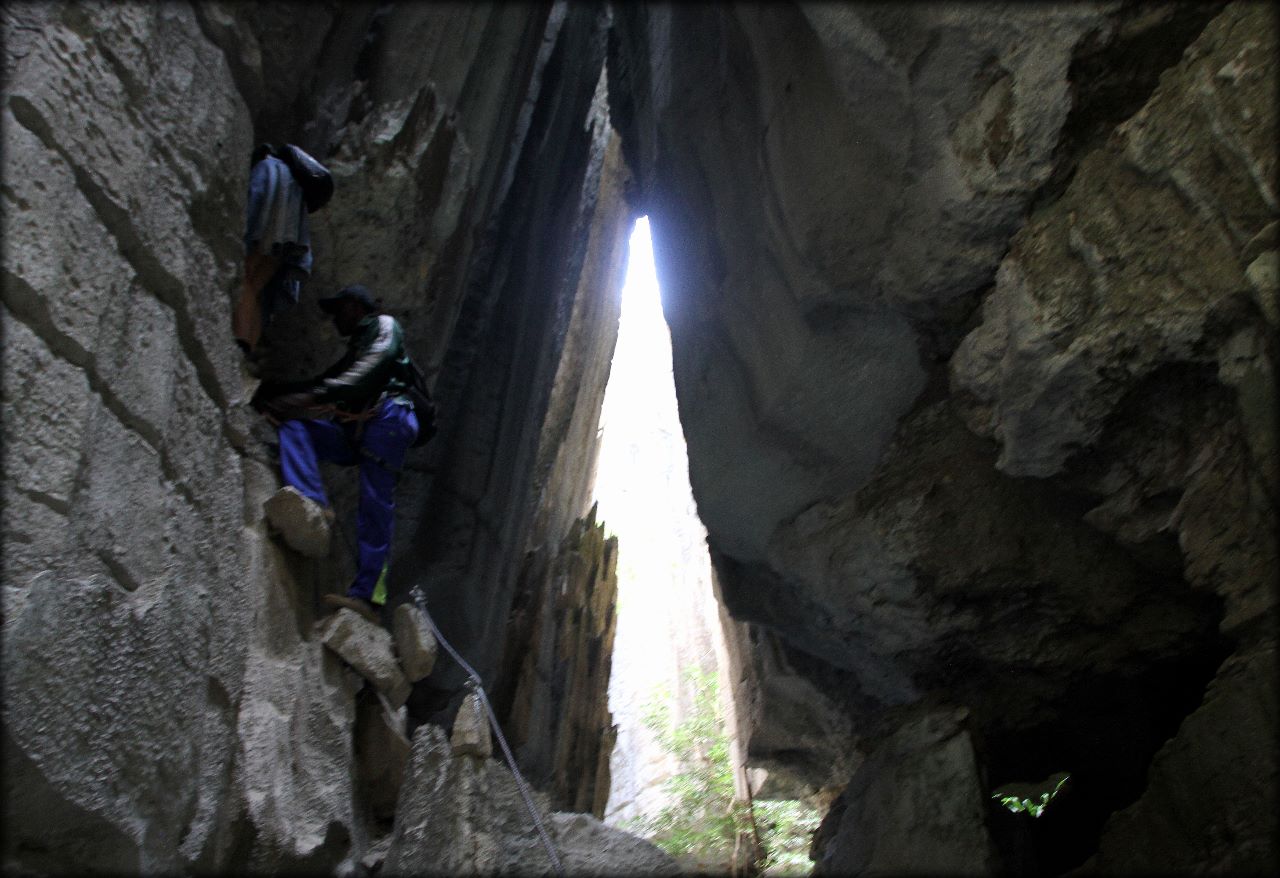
[{"x": 376, "y": 364}]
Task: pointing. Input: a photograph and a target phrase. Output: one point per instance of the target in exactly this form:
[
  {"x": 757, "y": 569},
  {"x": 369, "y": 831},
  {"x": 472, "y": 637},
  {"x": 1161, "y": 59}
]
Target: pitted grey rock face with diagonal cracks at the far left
[{"x": 126, "y": 602}]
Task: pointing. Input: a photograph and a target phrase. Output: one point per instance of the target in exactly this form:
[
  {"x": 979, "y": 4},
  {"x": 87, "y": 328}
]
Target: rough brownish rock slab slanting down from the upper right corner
[{"x": 1068, "y": 330}]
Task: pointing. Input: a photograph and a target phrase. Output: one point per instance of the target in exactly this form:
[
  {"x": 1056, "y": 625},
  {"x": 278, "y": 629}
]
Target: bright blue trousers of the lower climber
[{"x": 380, "y": 452}]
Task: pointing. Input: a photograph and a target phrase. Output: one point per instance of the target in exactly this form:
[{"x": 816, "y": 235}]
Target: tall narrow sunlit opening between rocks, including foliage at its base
[{"x": 676, "y": 770}]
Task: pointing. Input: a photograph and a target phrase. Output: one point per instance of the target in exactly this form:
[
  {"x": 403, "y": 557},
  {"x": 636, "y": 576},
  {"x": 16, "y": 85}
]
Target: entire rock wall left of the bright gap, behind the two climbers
[{"x": 168, "y": 703}]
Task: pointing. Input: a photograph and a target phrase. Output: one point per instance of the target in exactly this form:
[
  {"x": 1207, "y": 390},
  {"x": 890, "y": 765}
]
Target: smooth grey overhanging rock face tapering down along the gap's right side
[{"x": 793, "y": 280}]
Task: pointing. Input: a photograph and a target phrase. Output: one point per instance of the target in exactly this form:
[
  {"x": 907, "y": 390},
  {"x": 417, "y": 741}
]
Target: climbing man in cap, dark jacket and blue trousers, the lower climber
[{"x": 356, "y": 414}]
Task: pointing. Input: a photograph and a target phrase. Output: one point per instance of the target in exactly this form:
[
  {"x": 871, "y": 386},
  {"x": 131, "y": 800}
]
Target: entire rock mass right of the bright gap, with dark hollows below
[{"x": 975, "y": 339}]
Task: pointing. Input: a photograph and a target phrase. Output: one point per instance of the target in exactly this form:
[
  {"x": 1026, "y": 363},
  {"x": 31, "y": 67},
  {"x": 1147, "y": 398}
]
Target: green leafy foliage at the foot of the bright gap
[{"x": 705, "y": 824}]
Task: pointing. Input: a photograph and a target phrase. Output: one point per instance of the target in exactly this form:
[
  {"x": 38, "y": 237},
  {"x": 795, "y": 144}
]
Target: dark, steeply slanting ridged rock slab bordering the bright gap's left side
[{"x": 519, "y": 438}]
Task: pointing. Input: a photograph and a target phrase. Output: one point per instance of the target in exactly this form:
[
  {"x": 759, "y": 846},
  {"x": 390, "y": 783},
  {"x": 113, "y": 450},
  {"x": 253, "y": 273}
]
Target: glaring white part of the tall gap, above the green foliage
[{"x": 666, "y": 614}]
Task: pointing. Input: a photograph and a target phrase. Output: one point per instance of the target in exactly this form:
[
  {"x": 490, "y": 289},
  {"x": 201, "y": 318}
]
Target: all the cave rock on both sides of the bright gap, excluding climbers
[{"x": 975, "y": 330}]
